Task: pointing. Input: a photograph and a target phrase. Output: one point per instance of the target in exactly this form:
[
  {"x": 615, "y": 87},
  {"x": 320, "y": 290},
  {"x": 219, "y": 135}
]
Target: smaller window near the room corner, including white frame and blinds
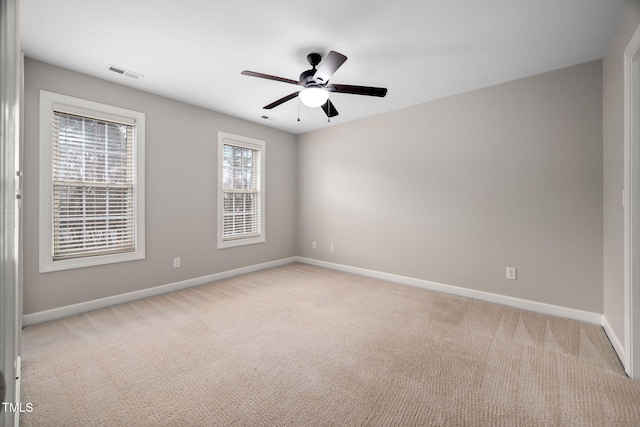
[{"x": 240, "y": 190}]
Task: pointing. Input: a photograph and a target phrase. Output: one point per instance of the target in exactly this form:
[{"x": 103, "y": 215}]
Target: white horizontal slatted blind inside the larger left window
[{"x": 93, "y": 186}]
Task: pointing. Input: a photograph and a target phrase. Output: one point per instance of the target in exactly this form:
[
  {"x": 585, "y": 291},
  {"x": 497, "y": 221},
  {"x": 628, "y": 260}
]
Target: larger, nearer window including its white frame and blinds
[{"x": 91, "y": 183}]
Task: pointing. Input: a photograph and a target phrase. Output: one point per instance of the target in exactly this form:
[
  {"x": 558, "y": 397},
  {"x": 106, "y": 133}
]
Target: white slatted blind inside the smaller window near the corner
[{"x": 241, "y": 192}]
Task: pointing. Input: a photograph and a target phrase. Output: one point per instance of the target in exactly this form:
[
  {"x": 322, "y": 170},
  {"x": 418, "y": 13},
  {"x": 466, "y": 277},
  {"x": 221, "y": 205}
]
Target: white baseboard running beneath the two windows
[{"x": 69, "y": 310}]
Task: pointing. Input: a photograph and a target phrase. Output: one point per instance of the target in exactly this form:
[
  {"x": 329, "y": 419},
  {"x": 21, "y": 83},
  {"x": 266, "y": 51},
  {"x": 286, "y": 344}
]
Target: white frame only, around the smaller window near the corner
[{"x": 244, "y": 142}]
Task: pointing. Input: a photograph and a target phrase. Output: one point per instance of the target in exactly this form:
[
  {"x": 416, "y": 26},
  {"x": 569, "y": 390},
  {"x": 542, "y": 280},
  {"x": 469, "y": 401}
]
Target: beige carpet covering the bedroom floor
[{"x": 300, "y": 345}]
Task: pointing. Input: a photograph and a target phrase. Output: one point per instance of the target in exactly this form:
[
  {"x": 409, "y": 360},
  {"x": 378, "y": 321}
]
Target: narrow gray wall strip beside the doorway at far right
[{"x": 613, "y": 142}]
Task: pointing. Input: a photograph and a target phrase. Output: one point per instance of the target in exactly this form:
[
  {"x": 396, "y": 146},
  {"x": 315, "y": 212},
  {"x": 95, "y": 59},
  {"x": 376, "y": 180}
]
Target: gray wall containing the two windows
[{"x": 180, "y": 194}]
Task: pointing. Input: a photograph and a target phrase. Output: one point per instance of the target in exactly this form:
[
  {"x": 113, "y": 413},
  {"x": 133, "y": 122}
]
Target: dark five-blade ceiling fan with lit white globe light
[{"x": 316, "y": 84}]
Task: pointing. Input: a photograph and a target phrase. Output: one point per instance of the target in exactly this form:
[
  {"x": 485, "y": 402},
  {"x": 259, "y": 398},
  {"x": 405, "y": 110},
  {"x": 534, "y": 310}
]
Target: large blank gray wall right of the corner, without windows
[{"x": 455, "y": 190}]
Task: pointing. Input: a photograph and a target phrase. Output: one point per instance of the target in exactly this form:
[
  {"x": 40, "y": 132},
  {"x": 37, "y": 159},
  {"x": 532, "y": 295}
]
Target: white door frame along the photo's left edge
[{"x": 11, "y": 94}]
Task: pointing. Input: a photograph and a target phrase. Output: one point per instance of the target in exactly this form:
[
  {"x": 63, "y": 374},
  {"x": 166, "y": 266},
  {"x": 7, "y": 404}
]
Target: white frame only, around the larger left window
[{"x": 49, "y": 101}]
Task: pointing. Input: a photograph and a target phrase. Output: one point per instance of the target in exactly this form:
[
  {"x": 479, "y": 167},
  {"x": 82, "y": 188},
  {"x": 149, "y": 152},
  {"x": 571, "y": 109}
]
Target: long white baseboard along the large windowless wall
[{"x": 540, "y": 307}]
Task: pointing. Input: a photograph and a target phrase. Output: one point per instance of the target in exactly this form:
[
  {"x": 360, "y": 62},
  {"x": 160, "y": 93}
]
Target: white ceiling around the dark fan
[{"x": 421, "y": 50}]
